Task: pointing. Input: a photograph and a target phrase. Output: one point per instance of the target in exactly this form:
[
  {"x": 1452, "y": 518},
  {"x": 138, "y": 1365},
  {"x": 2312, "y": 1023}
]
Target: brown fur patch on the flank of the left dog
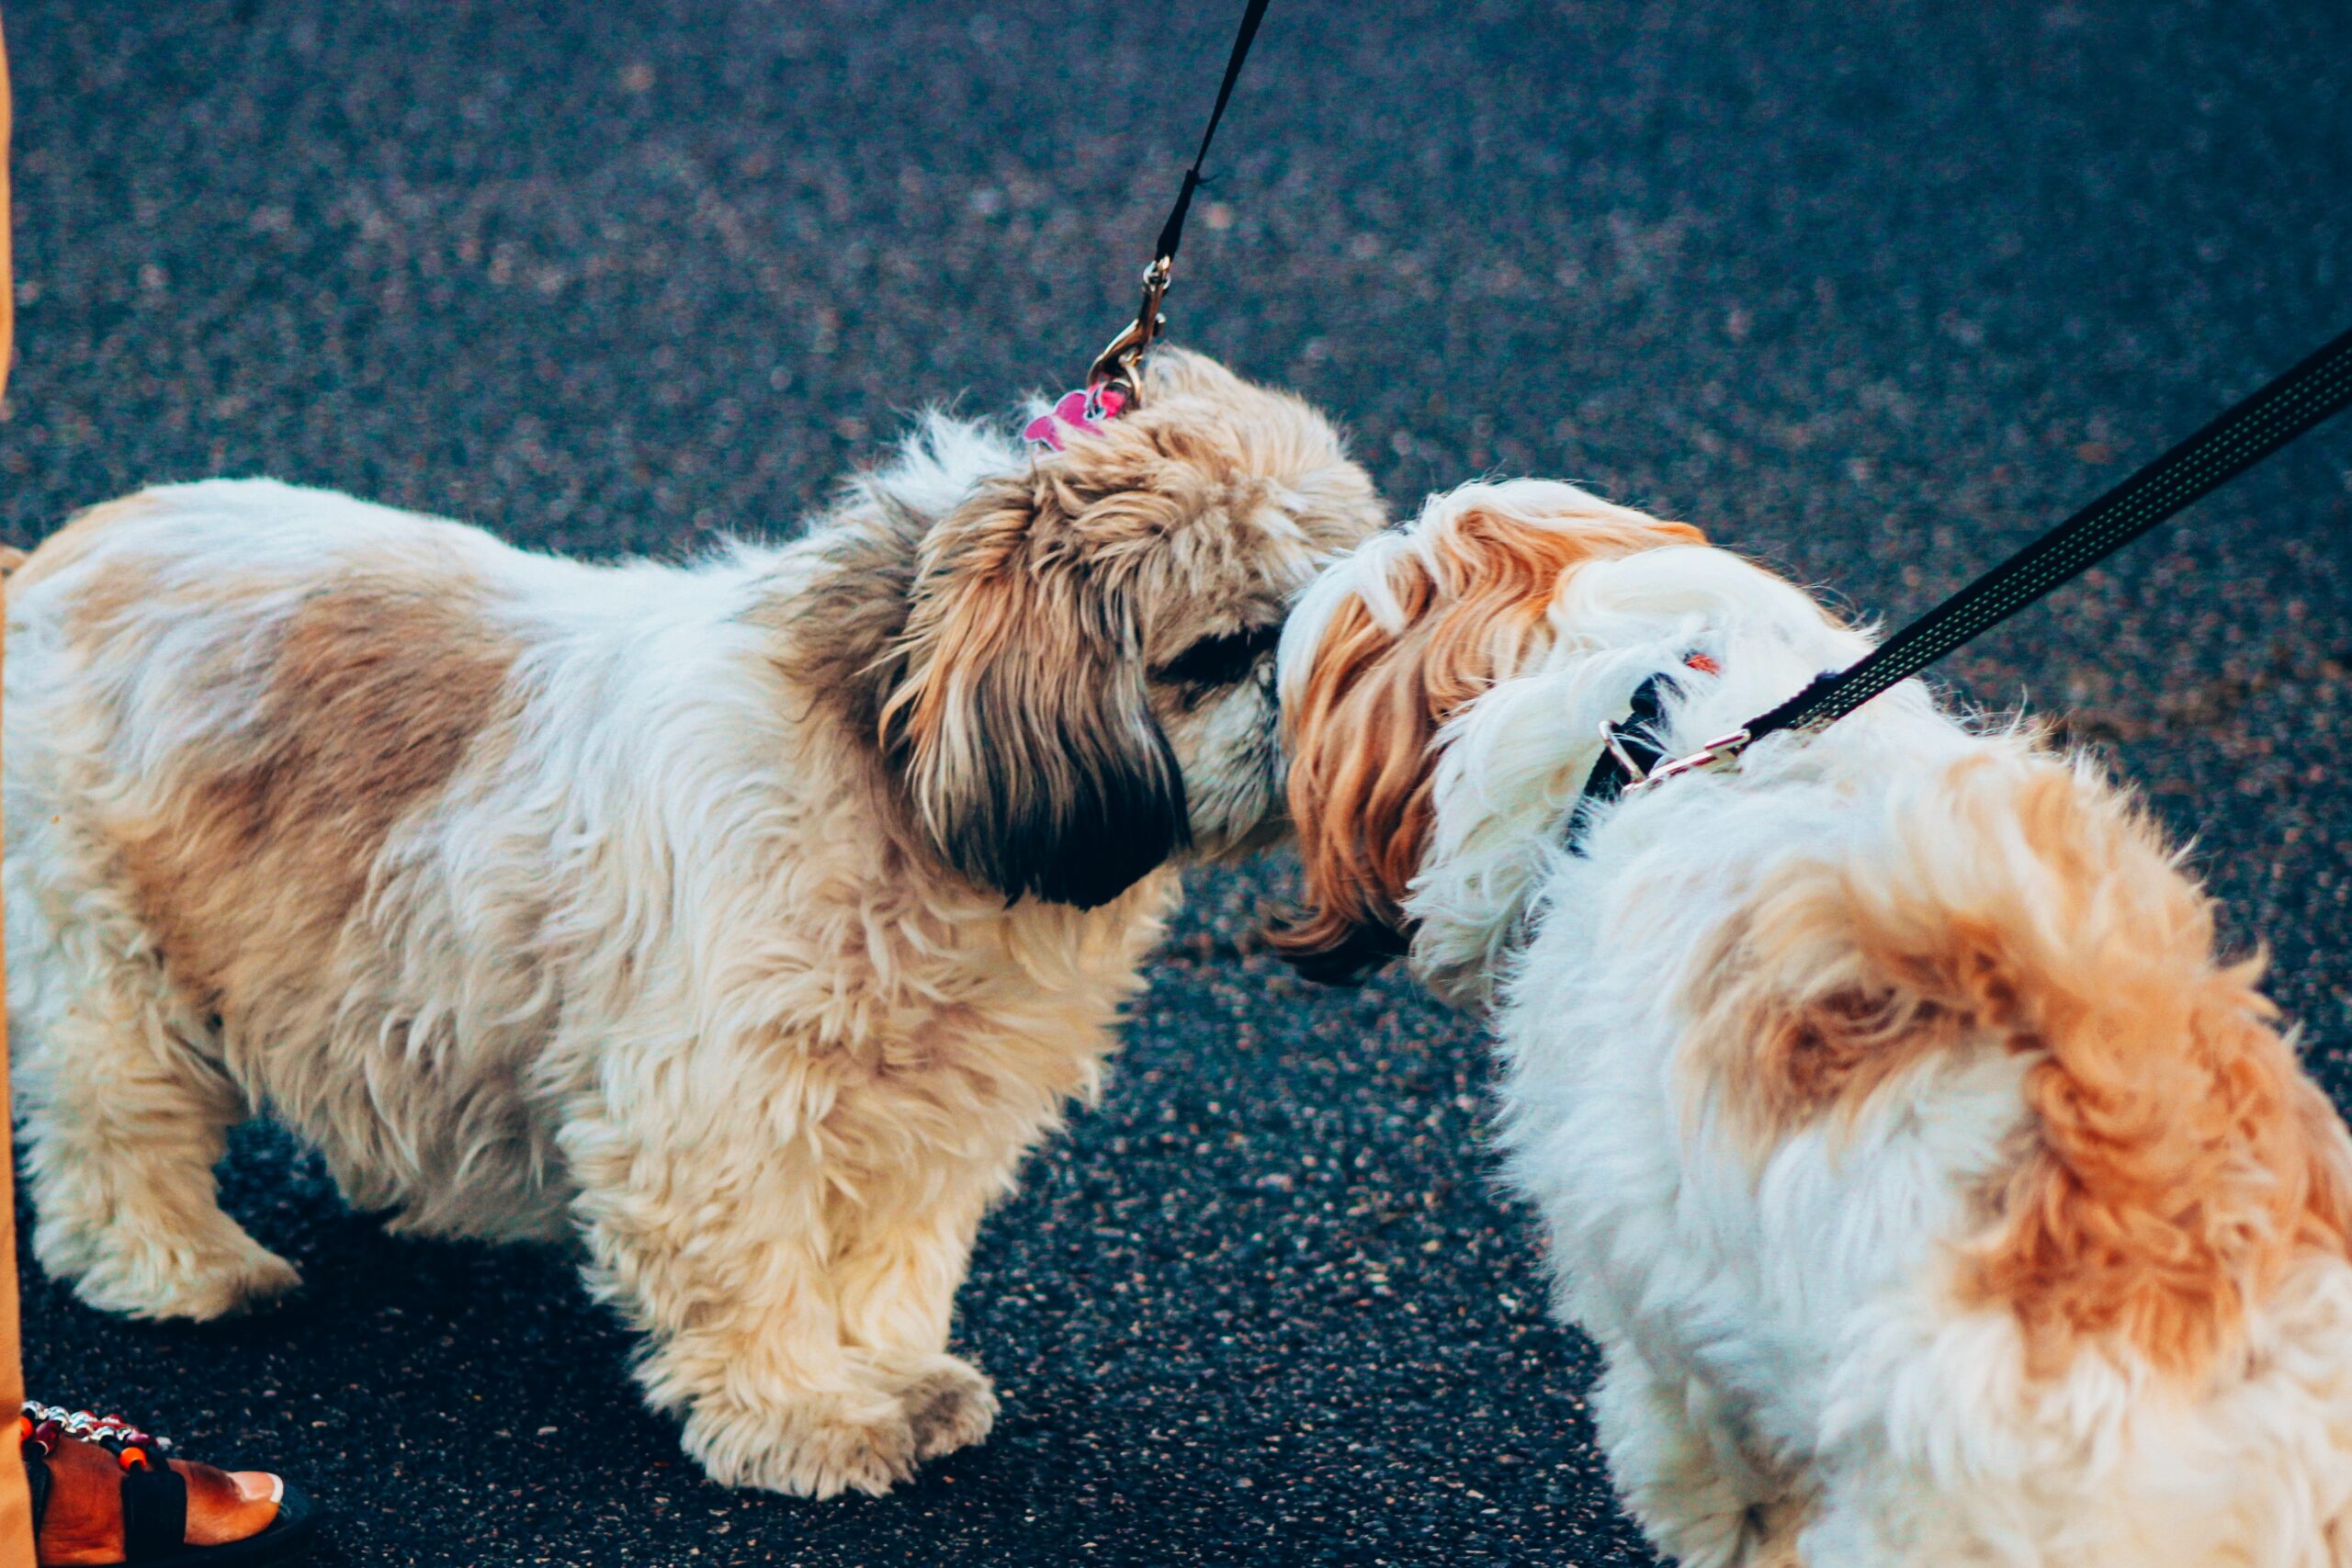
[{"x": 377, "y": 695}]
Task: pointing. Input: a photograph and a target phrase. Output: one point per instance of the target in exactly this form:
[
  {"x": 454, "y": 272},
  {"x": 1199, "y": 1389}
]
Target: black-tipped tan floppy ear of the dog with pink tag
[{"x": 1022, "y": 725}]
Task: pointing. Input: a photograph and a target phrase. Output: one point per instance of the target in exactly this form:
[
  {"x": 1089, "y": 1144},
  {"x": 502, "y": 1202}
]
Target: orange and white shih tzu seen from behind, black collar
[{"x": 1932, "y": 1188}]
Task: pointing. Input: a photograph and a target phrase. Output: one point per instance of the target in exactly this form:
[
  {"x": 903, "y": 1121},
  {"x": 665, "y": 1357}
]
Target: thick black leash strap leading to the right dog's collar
[{"x": 2247, "y": 434}]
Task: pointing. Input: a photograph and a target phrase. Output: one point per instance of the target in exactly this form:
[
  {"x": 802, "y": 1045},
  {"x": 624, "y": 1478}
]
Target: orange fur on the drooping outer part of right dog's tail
[{"x": 2184, "y": 1160}]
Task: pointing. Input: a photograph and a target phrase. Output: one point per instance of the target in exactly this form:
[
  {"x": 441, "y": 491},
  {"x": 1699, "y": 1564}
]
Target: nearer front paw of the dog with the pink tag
[{"x": 810, "y": 1447}]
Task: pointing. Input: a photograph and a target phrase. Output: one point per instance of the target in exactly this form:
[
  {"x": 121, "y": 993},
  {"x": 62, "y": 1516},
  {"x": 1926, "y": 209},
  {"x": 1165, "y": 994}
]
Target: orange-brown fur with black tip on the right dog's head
[{"x": 1361, "y": 779}]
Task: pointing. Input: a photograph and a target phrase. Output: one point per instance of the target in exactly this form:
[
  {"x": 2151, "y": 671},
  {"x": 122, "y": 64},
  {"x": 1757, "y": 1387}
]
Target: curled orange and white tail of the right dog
[{"x": 2022, "y": 904}]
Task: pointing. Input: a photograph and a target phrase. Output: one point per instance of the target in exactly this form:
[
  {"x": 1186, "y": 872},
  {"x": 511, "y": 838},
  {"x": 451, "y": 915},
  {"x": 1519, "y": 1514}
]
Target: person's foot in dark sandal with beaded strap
[{"x": 72, "y": 1454}]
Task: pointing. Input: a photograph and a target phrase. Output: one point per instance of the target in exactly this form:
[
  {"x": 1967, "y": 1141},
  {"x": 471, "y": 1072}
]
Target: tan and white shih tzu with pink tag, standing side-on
[{"x": 749, "y": 920}]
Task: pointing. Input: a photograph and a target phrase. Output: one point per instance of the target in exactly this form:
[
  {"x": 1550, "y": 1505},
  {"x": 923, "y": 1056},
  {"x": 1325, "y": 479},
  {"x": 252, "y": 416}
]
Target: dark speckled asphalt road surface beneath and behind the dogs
[{"x": 1871, "y": 290}]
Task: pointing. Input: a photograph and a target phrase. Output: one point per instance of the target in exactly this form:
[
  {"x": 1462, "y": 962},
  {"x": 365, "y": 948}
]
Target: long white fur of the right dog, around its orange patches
[{"x": 1789, "y": 1374}]
